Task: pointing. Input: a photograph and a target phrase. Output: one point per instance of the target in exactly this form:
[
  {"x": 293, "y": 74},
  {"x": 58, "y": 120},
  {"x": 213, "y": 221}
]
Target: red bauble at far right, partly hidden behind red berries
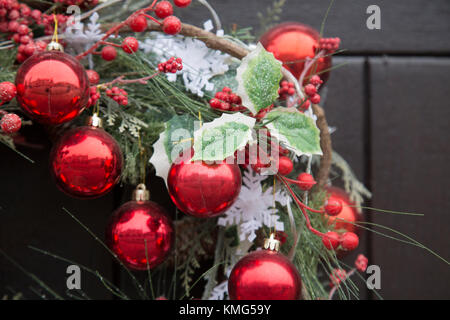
[{"x": 348, "y": 215}]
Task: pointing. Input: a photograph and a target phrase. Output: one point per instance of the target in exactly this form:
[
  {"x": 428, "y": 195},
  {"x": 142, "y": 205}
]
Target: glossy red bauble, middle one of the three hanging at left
[{"x": 86, "y": 162}]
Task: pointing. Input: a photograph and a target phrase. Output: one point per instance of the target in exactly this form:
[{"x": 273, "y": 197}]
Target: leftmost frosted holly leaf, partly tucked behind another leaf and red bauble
[{"x": 175, "y": 138}]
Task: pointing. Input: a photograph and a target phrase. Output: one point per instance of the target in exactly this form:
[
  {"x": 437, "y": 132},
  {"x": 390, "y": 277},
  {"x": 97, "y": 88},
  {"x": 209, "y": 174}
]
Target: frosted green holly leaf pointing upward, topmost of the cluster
[{"x": 258, "y": 79}]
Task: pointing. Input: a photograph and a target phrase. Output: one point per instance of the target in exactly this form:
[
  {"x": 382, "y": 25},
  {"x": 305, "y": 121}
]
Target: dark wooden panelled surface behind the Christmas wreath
[{"x": 389, "y": 103}]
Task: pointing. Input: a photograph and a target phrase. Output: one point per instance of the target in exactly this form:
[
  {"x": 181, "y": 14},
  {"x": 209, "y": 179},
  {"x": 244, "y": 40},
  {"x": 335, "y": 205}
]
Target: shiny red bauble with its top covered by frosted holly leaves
[{"x": 203, "y": 190}]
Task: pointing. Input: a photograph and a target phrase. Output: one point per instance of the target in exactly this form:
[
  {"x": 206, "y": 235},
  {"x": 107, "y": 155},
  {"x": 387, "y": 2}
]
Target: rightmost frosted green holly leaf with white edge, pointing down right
[{"x": 295, "y": 130}]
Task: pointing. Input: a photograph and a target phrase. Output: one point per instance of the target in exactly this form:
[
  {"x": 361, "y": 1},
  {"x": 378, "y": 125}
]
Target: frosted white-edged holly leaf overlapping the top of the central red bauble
[{"x": 219, "y": 139}]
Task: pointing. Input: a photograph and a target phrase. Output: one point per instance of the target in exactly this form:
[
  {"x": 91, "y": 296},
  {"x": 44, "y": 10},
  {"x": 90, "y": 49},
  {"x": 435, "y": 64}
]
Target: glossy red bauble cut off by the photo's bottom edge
[{"x": 264, "y": 275}]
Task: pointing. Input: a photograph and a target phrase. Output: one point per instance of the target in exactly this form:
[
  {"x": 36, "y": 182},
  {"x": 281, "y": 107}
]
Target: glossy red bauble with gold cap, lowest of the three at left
[{"x": 138, "y": 225}]
